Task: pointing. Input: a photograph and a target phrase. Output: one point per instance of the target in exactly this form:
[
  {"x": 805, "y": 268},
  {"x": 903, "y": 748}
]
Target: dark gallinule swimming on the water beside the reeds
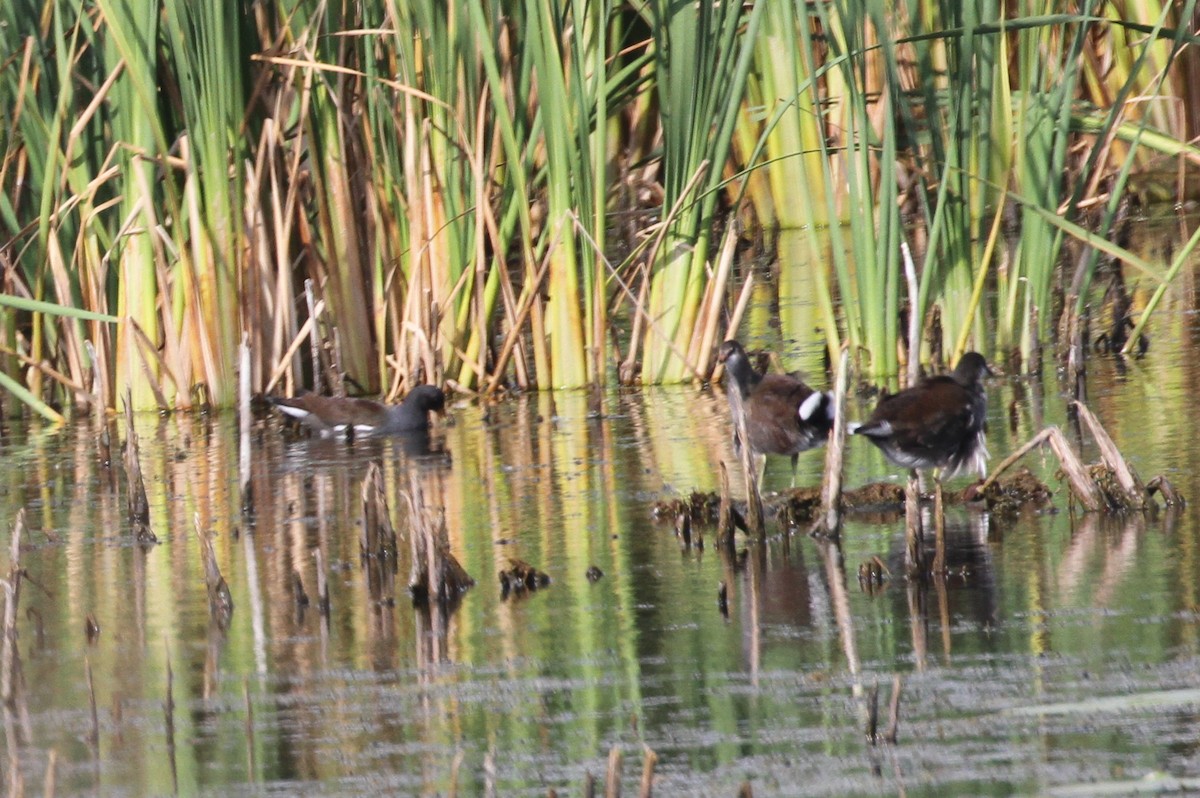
[{"x": 332, "y": 416}]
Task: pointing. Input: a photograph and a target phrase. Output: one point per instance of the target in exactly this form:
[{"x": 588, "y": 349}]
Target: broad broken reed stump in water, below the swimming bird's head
[{"x": 436, "y": 574}]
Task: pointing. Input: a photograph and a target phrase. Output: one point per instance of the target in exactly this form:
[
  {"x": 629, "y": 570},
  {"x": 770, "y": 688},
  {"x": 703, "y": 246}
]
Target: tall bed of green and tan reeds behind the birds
[{"x": 539, "y": 194}]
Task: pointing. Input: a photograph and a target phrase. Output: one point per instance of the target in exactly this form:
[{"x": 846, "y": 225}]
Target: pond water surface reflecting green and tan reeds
[{"x": 376, "y": 695}]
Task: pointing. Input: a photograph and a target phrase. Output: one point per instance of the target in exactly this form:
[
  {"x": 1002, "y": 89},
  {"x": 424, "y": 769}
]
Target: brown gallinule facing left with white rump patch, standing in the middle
[{"x": 783, "y": 416}]
